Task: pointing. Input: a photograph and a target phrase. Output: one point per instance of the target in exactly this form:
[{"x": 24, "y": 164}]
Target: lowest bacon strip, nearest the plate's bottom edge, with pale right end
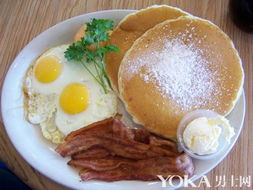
[{"x": 116, "y": 169}]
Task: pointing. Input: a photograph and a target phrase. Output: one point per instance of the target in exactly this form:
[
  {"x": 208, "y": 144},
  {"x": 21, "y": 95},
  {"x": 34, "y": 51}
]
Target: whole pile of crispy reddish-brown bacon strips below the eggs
[{"x": 109, "y": 151}]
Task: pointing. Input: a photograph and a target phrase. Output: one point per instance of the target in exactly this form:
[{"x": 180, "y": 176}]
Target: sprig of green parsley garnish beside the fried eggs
[{"x": 81, "y": 51}]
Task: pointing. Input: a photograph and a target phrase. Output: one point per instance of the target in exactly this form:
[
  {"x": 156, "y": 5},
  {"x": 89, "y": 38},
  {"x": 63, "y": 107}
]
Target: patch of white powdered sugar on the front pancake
[{"x": 180, "y": 73}]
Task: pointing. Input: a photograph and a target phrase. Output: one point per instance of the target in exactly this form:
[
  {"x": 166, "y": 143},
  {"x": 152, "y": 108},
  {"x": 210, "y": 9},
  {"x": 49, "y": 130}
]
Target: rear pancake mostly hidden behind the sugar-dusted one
[{"x": 131, "y": 28}]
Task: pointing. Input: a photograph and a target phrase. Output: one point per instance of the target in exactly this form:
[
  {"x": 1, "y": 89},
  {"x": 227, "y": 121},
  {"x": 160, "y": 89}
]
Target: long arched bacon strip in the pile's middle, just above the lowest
[{"x": 118, "y": 146}]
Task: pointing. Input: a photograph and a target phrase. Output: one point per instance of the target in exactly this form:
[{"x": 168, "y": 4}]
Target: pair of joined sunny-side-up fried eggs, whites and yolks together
[{"x": 61, "y": 96}]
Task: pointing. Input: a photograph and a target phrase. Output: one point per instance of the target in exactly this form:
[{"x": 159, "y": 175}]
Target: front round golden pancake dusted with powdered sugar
[{"x": 176, "y": 67}]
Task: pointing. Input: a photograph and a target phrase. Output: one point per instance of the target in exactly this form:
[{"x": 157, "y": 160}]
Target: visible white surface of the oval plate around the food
[{"x": 38, "y": 152}]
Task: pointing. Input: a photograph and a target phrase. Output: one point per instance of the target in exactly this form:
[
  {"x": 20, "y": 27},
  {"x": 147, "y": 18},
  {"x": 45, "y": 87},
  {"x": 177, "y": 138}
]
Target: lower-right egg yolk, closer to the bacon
[{"x": 74, "y": 98}]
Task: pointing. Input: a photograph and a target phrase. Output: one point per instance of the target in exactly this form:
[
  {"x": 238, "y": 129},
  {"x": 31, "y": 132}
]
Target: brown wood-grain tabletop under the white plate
[{"x": 22, "y": 20}]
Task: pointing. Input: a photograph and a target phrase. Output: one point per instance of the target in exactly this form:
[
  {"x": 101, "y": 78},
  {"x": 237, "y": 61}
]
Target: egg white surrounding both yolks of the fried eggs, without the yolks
[{"x": 43, "y": 106}]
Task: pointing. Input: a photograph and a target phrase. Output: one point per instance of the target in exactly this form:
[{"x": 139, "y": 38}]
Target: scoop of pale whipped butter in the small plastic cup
[{"x": 201, "y": 136}]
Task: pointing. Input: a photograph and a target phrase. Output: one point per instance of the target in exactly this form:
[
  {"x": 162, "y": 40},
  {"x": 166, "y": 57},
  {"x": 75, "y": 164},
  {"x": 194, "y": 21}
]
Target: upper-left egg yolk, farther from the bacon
[{"x": 48, "y": 69}]
